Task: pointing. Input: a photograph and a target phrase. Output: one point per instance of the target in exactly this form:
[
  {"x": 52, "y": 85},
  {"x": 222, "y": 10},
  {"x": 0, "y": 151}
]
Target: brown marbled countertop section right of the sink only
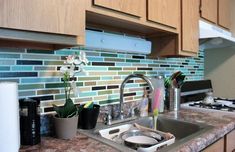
[{"x": 222, "y": 122}]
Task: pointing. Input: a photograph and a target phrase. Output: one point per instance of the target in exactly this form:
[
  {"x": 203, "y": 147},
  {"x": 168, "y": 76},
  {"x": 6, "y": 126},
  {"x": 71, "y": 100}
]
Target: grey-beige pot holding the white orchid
[{"x": 66, "y": 128}]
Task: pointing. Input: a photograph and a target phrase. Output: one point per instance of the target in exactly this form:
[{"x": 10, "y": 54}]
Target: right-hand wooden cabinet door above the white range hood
[{"x": 224, "y": 13}]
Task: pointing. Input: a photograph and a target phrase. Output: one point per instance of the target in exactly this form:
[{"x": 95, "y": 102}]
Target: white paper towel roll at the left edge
[{"x": 9, "y": 117}]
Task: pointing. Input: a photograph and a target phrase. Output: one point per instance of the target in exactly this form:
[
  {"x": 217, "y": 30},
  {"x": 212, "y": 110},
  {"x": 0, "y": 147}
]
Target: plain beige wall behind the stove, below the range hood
[{"x": 220, "y": 68}]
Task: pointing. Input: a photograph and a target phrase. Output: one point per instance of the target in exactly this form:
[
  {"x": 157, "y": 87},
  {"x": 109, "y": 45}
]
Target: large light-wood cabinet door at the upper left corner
[{"x": 50, "y": 16}]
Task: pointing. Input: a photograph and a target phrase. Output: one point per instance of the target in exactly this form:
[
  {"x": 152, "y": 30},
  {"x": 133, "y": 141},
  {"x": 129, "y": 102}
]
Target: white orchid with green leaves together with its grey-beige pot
[{"x": 66, "y": 118}]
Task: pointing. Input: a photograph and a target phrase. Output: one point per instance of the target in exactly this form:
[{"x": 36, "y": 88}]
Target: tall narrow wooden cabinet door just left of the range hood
[{"x": 190, "y": 27}]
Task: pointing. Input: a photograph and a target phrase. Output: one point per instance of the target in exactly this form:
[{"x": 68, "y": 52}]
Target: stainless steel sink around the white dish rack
[{"x": 183, "y": 131}]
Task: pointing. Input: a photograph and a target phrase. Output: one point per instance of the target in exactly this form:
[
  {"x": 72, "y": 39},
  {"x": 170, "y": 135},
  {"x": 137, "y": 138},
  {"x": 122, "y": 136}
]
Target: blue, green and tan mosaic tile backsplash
[{"x": 38, "y": 75}]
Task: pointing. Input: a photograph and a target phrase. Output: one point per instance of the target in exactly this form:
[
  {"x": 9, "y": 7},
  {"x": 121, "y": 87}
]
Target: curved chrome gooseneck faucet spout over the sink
[{"x": 121, "y": 116}]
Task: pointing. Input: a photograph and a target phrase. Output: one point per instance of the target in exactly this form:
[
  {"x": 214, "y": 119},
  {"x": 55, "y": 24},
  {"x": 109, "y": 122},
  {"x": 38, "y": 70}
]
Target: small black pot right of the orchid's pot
[{"x": 88, "y": 117}]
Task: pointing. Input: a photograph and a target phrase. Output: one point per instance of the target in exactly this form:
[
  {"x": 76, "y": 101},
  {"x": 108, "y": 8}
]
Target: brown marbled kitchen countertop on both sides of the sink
[{"x": 223, "y": 123}]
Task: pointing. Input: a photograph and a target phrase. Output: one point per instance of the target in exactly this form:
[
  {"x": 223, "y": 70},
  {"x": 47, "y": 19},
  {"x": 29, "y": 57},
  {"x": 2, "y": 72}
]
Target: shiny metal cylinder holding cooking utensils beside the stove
[{"x": 174, "y": 99}]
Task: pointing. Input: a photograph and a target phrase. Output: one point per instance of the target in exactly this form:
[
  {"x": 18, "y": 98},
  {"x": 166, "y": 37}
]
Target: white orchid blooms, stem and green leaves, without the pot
[{"x": 69, "y": 69}]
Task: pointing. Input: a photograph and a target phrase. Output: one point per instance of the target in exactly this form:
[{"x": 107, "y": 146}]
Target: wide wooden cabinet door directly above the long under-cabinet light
[{"x": 131, "y": 7}]
